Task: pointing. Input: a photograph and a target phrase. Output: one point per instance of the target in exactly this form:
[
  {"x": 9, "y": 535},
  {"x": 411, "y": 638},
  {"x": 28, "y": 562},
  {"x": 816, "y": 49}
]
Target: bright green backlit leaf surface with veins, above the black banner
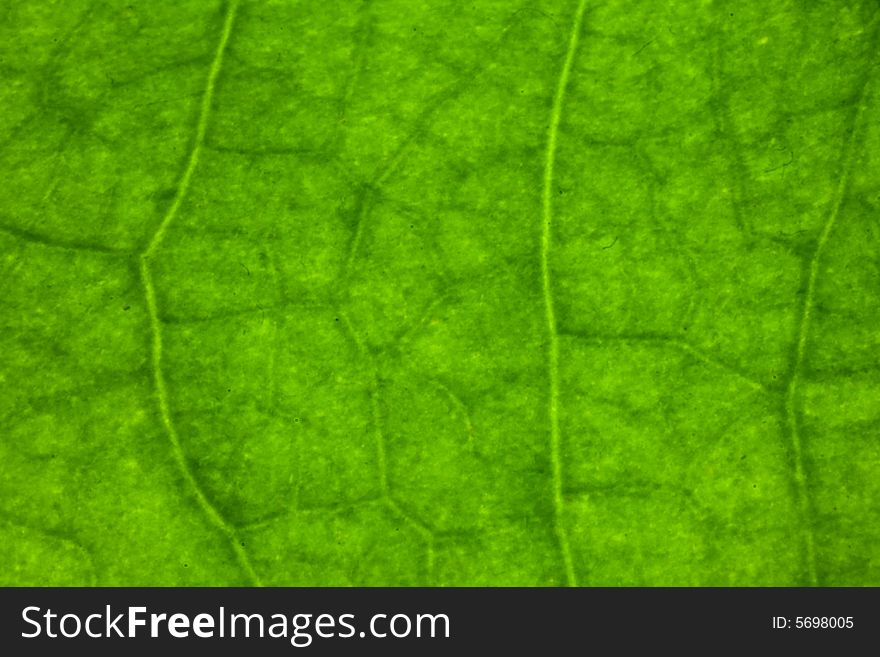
[{"x": 422, "y": 292}]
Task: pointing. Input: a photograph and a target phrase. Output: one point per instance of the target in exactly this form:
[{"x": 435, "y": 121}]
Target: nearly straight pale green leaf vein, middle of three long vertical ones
[{"x": 549, "y": 310}]
